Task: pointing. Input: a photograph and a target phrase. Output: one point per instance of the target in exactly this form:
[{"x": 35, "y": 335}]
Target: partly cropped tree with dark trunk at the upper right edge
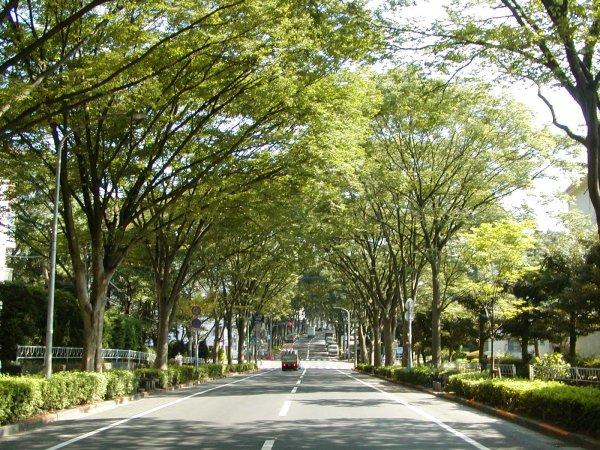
[{"x": 549, "y": 42}]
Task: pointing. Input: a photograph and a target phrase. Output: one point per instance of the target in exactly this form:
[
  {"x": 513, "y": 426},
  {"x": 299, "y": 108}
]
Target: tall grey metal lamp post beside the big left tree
[{"x": 50, "y": 310}]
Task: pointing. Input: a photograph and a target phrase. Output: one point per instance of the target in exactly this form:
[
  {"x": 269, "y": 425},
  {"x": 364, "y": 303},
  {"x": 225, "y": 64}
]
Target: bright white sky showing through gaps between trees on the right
[{"x": 544, "y": 199}]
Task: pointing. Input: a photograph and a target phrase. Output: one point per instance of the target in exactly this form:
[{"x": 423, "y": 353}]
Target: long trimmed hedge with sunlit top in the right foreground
[{"x": 573, "y": 407}]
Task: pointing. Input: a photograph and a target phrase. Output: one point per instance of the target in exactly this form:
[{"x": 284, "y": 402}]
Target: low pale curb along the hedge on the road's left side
[{"x": 79, "y": 412}]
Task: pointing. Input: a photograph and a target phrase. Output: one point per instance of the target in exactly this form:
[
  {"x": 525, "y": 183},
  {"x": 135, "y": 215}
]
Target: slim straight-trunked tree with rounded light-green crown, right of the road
[{"x": 459, "y": 151}]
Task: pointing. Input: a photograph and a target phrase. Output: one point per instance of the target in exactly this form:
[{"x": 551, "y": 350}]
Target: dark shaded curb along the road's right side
[{"x": 575, "y": 438}]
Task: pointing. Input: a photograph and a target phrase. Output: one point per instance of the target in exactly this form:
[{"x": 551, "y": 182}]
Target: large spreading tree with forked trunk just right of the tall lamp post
[{"x": 135, "y": 151}]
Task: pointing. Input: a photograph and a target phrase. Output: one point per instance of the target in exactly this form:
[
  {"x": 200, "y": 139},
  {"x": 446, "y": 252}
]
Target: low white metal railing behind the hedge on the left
[{"x": 115, "y": 354}]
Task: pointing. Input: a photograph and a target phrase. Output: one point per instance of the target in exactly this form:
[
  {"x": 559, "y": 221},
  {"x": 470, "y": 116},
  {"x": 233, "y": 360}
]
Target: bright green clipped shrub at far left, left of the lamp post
[{"x": 20, "y": 397}]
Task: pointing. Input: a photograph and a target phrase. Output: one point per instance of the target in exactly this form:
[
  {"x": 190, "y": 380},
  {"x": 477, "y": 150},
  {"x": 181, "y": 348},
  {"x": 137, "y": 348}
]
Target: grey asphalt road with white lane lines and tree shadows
[{"x": 324, "y": 405}]
